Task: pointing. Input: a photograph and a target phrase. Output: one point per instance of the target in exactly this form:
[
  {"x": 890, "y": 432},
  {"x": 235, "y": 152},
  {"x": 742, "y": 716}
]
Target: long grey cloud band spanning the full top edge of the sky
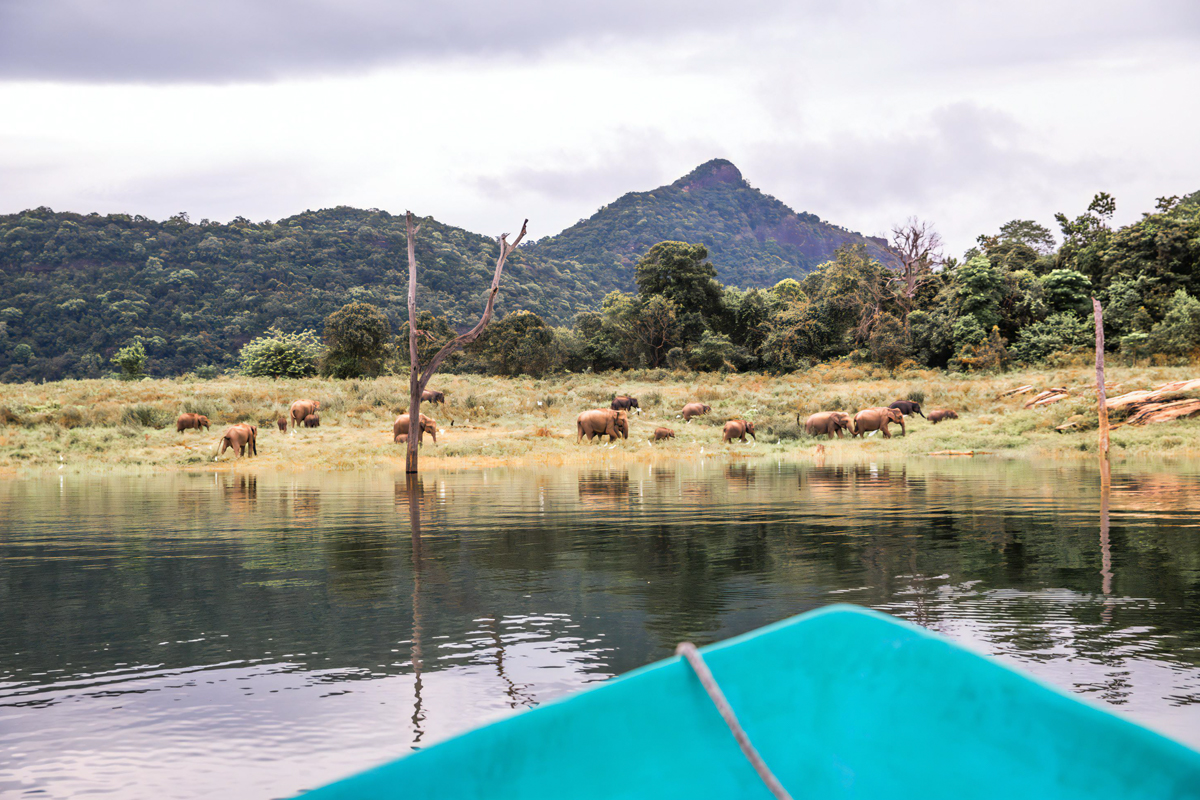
[{"x": 219, "y": 41}]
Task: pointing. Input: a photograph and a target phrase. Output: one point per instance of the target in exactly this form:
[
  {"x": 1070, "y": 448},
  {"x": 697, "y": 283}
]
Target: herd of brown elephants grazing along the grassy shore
[{"x": 613, "y": 423}]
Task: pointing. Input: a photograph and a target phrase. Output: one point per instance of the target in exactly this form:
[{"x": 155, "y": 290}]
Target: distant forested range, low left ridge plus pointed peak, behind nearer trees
[{"x": 77, "y": 287}]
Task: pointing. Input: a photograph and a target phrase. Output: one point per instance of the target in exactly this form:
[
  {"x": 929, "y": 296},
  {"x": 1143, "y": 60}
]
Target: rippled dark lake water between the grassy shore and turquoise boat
[{"x": 219, "y": 635}]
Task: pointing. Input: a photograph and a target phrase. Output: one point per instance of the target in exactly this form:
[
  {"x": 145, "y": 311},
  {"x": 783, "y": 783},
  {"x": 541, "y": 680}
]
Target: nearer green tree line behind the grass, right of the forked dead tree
[{"x": 1016, "y": 298}]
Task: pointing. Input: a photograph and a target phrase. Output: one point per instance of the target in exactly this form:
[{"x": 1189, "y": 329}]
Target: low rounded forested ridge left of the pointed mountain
[{"x": 77, "y": 287}]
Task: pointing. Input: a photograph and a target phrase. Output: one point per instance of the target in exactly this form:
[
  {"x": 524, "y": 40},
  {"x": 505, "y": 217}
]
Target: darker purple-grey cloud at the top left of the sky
[{"x": 256, "y": 40}]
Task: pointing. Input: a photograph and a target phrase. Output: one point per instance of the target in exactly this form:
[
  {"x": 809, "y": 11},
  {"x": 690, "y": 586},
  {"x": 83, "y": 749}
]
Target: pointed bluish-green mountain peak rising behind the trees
[{"x": 753, "y": 239}]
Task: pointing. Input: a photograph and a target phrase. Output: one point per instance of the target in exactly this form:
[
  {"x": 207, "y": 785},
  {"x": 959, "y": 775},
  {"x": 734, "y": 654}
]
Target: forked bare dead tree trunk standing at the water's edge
[{"x": 421, "y": 378}]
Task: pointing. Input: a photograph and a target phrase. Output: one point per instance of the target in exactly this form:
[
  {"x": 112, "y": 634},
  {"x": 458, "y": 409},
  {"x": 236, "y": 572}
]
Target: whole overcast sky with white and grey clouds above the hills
[{"x": 485, "y": 113}]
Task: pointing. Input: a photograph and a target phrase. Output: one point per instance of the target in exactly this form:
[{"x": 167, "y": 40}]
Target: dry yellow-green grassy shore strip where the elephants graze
[{"x": 105, "y": 425}]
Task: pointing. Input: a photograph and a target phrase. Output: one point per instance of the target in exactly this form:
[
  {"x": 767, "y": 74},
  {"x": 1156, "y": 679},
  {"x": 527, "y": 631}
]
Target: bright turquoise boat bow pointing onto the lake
[{"x": 841, "y": 703}]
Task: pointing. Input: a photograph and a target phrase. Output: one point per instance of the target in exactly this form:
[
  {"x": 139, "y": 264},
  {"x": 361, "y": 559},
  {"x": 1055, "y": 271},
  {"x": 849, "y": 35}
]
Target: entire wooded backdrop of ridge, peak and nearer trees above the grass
[{"x": 86, "y": 294}]
